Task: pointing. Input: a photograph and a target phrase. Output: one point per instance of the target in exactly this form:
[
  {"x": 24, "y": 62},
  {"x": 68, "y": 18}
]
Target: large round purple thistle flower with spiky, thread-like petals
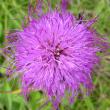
[{"x": 56, "y": 53}]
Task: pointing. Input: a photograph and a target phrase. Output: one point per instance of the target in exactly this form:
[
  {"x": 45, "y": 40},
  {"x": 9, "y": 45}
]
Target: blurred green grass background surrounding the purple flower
[{"x": 12, "y": 13}]
